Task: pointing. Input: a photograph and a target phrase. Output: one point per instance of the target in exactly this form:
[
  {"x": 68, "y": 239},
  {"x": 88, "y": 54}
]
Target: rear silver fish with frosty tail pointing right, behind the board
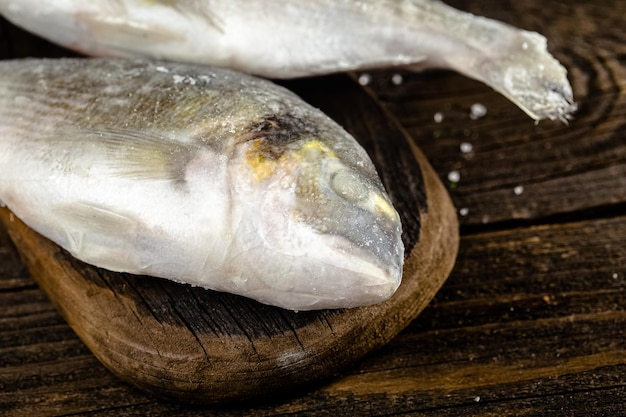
[{"x": 295, "y": 38}]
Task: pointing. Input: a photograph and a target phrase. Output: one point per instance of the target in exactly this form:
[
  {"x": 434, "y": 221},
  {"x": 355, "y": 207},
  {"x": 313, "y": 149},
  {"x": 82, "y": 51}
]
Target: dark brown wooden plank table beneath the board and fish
[{"x": 532, "y": 320}]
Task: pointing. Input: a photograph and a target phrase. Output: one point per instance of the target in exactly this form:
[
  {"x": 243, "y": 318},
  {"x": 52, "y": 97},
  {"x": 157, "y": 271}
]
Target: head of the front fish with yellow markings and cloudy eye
[{"x": 320, "y": 220}]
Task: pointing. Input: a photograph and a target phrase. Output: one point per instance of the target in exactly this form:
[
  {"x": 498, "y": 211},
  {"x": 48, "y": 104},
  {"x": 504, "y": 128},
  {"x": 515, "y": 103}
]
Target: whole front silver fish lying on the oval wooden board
[{"x": 199, "y": 175}]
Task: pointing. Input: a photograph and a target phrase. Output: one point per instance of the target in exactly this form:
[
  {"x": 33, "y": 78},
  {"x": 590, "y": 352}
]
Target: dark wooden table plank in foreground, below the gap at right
[{"x": 545, "y": 332}]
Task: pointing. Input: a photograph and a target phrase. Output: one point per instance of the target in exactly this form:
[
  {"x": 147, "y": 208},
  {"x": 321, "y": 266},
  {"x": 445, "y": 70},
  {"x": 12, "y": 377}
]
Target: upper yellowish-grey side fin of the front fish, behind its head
[{"x": 134, "y": 154}]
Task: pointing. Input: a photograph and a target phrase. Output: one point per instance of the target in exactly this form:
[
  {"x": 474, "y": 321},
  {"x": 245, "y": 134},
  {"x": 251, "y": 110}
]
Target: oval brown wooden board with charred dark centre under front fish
[{"x": 203, "y": 346}]
